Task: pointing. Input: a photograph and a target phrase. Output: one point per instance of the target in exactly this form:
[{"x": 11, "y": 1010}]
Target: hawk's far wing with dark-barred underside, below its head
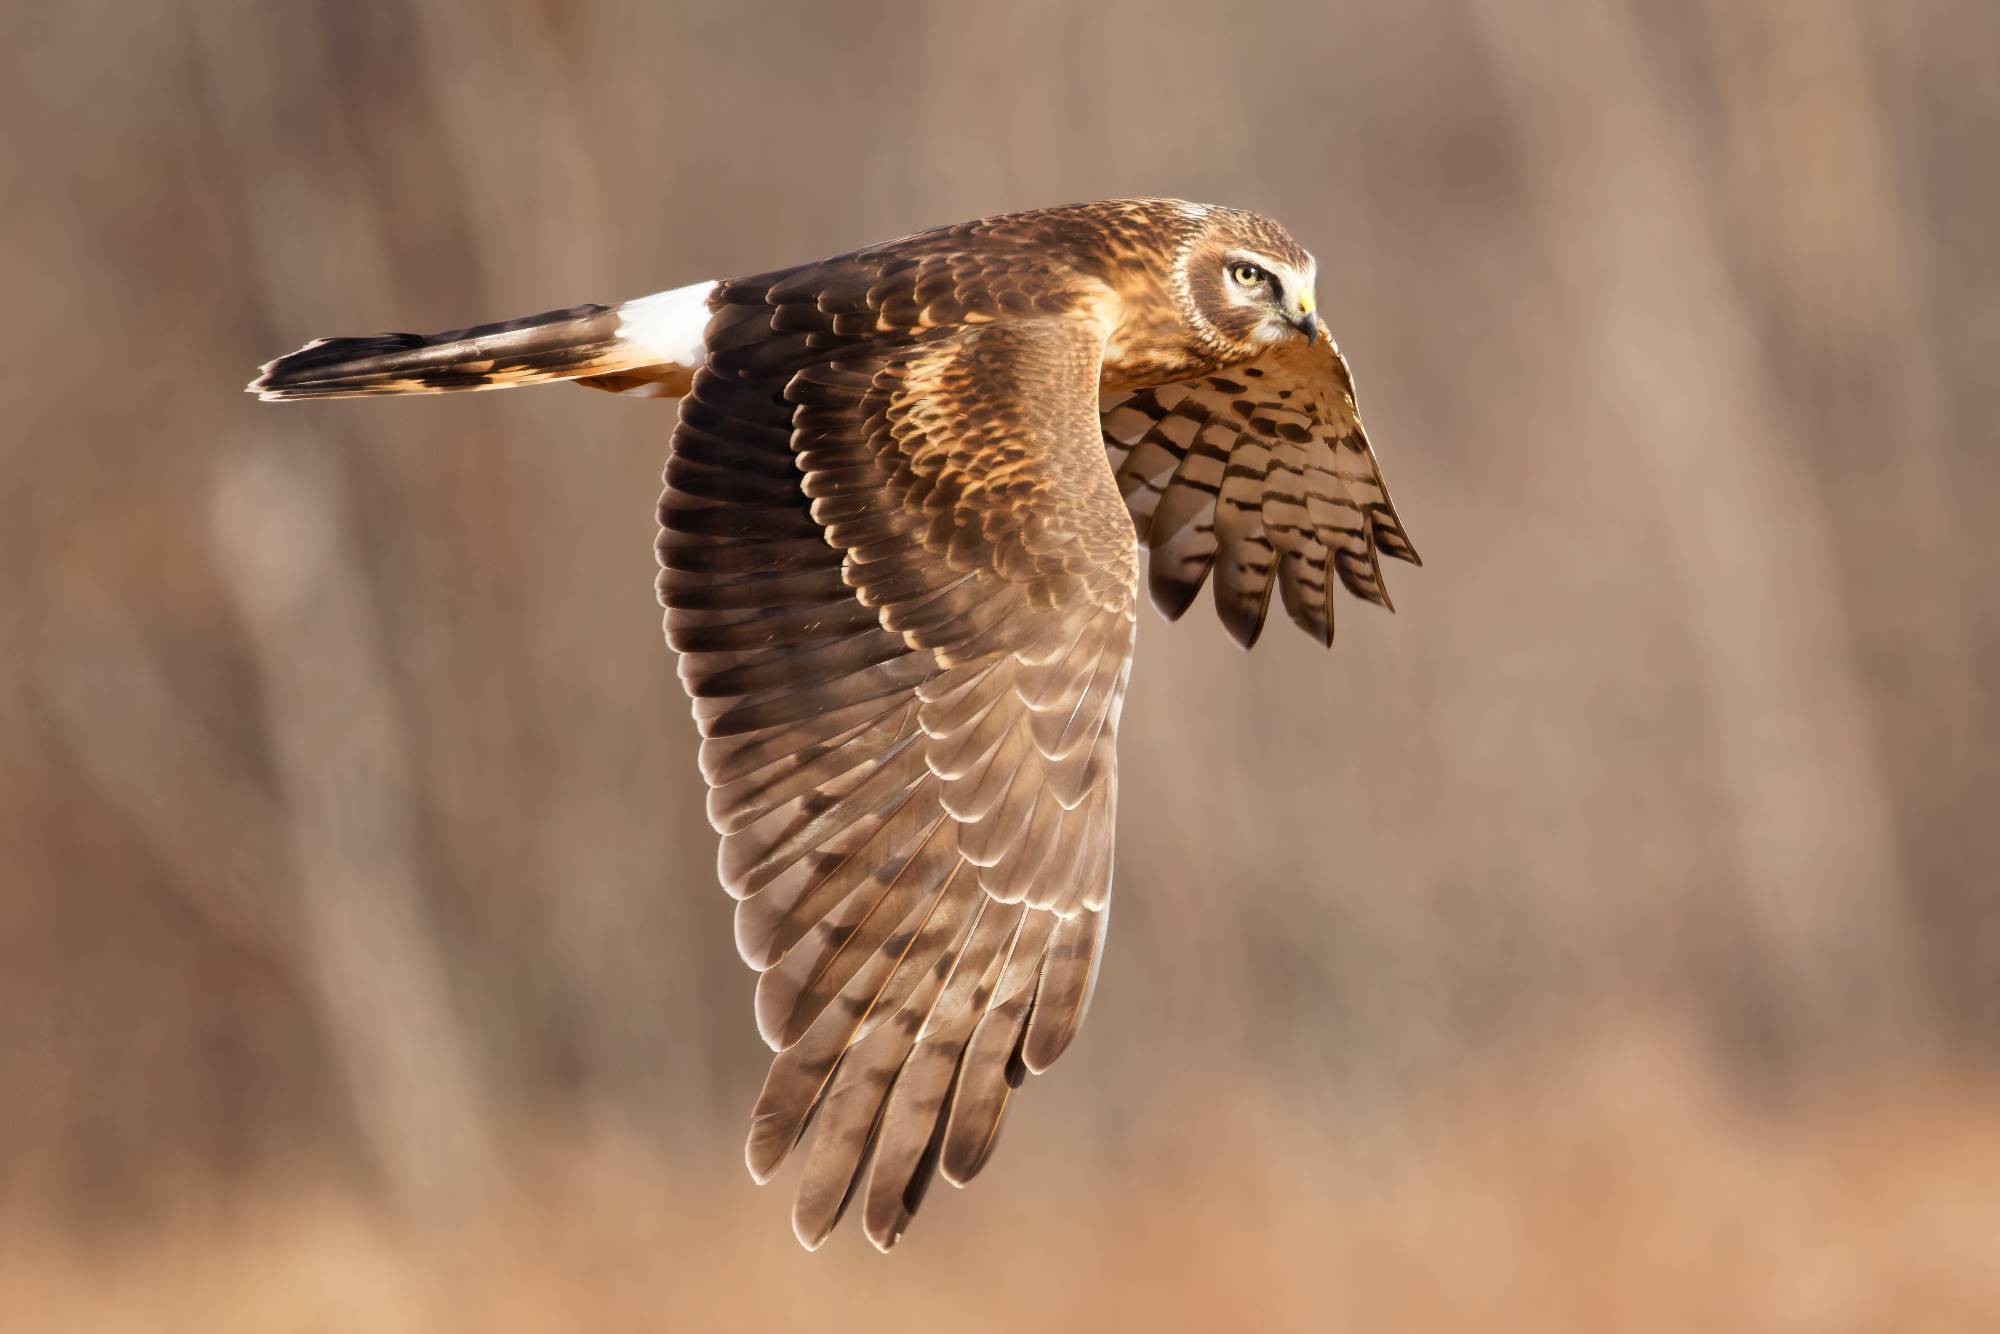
[{"x": 1255, "y": 473}]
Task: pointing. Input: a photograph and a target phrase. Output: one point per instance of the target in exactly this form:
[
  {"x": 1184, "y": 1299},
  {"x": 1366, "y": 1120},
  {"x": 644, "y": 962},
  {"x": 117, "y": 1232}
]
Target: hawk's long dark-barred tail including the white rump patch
[{"x": 649, "y": 347}]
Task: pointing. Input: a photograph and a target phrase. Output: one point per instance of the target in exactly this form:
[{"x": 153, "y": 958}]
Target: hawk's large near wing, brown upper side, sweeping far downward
[{"x": 903, "y": 587}]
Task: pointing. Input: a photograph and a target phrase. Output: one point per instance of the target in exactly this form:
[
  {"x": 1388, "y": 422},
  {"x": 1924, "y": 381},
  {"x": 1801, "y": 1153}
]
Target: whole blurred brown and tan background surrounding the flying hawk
[{"x": 1607, "y": 941}]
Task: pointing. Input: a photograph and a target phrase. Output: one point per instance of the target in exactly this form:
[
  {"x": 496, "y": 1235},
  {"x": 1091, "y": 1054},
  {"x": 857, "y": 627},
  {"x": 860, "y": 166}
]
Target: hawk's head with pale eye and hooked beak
[{"x": 1247, "y": 283}]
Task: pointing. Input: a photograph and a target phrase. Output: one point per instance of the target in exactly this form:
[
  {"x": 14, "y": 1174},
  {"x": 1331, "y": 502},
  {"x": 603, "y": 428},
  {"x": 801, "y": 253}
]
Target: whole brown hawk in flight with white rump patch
[{"x": 909, "y": 507}]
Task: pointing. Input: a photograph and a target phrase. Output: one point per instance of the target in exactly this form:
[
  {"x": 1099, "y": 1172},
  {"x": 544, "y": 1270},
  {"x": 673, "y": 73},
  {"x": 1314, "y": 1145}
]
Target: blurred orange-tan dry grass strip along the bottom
[{"x": 1623, "y": 1193}]
